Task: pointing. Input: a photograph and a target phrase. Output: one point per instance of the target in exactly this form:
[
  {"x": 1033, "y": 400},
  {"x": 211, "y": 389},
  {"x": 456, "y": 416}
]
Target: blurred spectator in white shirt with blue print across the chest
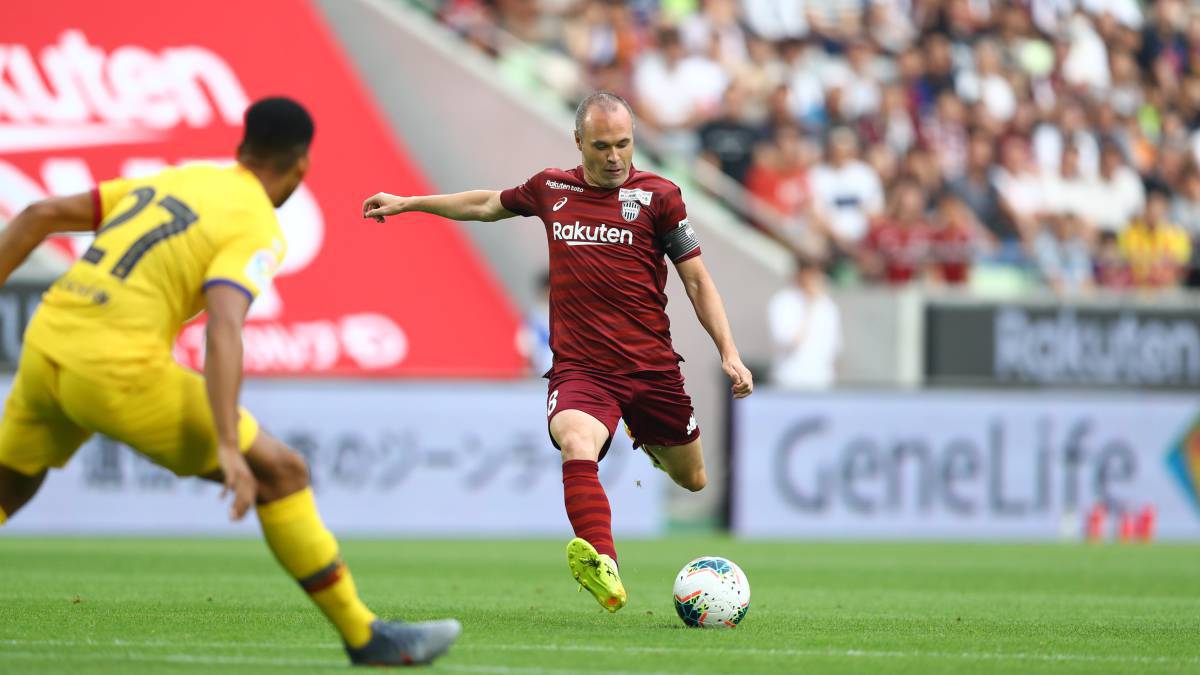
[{"x": 848, "y": 190}]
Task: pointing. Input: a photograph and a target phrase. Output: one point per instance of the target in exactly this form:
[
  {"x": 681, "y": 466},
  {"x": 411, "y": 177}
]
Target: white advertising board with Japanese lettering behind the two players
[{"x": 411, "y": 459}]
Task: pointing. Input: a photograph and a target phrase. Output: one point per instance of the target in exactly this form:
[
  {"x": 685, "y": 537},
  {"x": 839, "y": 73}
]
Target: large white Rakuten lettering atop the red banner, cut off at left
[{"x": 77, "y": 95}]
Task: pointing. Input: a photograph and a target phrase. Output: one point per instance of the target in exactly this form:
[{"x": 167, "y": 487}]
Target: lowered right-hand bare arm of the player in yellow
[{"x": 227, "y": 308}]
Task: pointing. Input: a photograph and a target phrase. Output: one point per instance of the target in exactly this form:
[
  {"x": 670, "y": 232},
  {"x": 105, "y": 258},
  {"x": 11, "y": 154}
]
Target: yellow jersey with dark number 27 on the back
[{"x": 160, "y": 242}]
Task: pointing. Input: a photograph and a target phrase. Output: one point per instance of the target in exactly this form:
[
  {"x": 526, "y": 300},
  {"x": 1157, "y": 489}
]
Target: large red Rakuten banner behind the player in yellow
[{"x": 93, "y": 91}]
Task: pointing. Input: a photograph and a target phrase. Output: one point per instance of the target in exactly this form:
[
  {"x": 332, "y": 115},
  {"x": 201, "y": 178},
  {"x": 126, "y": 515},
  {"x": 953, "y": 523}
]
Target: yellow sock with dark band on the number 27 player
[{"x": 309, "y": 552}]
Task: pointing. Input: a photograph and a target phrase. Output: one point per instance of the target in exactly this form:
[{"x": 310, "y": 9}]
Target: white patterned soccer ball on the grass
[{"x": 712, "y": 593}]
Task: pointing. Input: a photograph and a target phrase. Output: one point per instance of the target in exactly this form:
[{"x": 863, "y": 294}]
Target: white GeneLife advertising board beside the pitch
[{"x": 962, "y": 465}]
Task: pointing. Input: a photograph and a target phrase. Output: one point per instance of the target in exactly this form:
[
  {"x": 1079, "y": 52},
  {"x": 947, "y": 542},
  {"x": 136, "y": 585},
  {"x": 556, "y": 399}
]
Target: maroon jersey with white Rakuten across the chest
[{"x": 608, "y": 274}]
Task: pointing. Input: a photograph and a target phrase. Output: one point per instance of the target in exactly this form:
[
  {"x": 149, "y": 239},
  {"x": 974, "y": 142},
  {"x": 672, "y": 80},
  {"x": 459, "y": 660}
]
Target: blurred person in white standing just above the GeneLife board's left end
[{"x": 806, "y": 330}]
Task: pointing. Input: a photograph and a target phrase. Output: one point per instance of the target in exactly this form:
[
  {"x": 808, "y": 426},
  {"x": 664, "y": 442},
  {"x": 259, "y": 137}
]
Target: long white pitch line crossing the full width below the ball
[{"x": 783, "y": 653}]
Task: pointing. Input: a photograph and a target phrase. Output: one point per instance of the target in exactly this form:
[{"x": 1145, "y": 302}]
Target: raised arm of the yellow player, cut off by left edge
[{"x": 38, "y": 222}]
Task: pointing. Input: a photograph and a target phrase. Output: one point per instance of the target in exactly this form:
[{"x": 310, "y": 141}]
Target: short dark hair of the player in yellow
[{"x": 278, "y": 133}]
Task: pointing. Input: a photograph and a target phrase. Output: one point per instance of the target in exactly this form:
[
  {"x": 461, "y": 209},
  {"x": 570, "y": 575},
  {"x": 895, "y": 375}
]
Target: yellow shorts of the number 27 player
[{"x": 164, "y": 415}]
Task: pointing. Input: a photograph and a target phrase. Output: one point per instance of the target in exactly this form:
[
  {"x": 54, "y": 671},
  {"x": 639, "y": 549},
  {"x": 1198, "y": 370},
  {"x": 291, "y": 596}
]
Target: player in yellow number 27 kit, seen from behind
[{"x": 98, "y": 356}]
